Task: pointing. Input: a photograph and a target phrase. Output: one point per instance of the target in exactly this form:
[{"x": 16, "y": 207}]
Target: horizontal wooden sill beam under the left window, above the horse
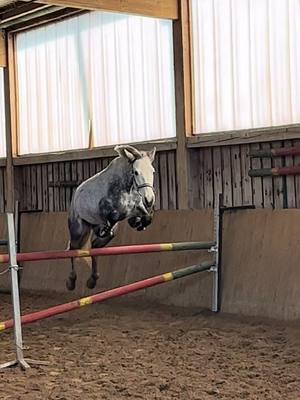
[{"x": 104, "y": 152}]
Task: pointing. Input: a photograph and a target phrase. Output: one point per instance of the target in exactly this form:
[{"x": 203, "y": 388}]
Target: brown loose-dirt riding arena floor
[{"x": 120, "y": 351}]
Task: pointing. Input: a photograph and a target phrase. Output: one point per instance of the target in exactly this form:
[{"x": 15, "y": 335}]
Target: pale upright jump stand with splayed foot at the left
[{"x": 15, "y": 296}]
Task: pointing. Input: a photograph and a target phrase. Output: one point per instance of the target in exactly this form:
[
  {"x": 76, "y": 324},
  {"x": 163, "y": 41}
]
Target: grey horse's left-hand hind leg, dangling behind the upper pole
[{"x": 79, "y": 234}]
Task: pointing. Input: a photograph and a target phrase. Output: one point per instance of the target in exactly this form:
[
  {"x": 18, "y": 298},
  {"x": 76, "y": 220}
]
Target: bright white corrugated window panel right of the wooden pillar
[{"x": 245, "y": 63}]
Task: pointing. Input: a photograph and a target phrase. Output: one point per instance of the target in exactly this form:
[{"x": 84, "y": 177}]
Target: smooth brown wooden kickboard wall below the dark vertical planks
[{"x": 260, "y": 272}]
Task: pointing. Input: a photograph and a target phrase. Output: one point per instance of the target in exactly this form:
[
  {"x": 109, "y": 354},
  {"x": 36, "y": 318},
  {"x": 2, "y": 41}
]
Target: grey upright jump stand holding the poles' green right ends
[{"x": 215, "y": 269}]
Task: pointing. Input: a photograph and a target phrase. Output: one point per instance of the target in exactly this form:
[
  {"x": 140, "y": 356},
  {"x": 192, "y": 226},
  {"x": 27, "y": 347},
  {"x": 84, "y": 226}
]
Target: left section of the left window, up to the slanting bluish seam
[{"x": 51, "y": 109}]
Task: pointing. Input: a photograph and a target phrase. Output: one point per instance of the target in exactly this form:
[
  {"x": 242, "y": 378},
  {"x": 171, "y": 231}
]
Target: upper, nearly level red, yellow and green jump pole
[{"x": 109, "y": 251}]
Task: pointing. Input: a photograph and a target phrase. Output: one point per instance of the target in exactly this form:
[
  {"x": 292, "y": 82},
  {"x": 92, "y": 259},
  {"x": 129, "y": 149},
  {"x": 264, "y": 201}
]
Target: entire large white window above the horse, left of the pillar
[{"x": 111, "y": 73}]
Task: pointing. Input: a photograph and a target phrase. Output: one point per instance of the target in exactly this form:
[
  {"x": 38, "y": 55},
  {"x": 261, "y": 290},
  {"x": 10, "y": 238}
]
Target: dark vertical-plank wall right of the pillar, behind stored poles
[{"x": 225, "y": 169}]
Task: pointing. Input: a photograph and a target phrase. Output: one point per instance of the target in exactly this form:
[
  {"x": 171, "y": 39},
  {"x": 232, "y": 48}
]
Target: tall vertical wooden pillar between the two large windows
[{"x": 181, "y": 153}]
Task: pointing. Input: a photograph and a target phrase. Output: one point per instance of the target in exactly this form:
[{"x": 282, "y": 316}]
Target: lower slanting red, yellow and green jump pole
[{"x": 109, "y": 294}]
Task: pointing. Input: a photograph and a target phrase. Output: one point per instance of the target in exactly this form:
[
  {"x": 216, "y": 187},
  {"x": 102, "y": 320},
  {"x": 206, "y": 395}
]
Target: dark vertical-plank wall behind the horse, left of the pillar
[{"x": 36, "y": 192}]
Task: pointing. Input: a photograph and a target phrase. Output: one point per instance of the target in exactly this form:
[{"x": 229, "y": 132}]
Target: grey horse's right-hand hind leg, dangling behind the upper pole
[{"x": 98, "y": 241}]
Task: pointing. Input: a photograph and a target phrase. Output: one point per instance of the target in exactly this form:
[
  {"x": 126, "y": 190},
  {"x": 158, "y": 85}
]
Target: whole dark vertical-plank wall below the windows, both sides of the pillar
[{"x": 211, "y": 170}]
